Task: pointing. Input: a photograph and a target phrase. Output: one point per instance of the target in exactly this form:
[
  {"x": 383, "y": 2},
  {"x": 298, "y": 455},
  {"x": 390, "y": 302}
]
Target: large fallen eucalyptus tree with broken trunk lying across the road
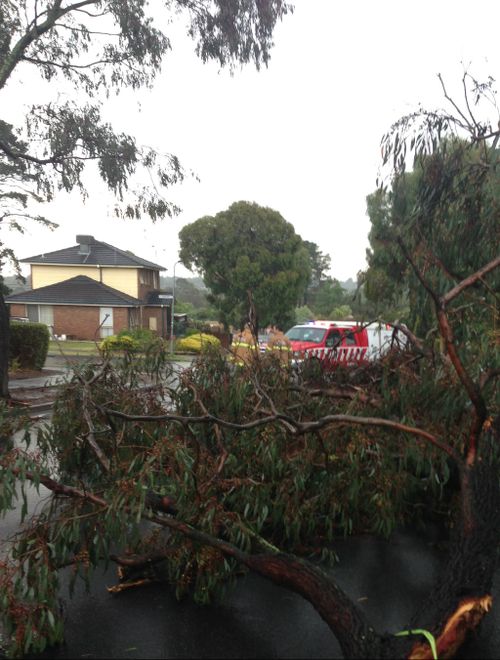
[{"x": 263, "y": 467}]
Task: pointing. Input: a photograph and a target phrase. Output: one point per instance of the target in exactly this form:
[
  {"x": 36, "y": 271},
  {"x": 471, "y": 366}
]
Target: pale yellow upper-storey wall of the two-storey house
[{"x": 123, "y": 279}]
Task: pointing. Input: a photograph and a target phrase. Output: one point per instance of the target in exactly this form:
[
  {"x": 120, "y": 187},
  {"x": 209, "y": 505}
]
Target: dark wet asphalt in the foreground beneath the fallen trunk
[{"x": 258, "y": 619}]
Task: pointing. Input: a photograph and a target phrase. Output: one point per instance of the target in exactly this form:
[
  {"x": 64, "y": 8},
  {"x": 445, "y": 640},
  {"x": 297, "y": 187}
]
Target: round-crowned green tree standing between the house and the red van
[{"x": 250, "y": 257}]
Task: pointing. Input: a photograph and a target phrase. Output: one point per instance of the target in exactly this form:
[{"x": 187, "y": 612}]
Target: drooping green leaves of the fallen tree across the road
[{"x": 263, "y": 486}]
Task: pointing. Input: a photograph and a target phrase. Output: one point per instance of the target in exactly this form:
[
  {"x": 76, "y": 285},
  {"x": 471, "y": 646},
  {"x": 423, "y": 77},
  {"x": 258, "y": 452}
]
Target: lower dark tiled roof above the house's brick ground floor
[{"x": 80, "y": 290}]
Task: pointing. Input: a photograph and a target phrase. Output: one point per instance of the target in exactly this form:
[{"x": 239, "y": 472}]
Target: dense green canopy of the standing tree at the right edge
[{"x": 443, "y": 214}]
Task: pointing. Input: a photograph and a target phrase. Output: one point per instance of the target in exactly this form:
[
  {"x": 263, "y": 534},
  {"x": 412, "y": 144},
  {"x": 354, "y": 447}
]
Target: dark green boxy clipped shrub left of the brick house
[{"x": 29, "y": 344}]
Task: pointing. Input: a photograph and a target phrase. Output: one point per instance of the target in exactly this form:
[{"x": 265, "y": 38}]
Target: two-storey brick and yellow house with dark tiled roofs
[{"x": 93, "y": 290}]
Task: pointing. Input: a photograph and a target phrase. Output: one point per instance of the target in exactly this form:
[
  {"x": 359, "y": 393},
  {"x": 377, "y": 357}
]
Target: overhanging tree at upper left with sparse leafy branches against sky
[{"x": 100, "y": 47}]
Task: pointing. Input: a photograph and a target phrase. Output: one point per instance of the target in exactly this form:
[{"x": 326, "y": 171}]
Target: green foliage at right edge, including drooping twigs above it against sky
[{"x": 443, "y": 216}]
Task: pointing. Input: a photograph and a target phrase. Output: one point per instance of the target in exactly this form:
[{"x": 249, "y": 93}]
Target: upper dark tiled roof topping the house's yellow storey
[{"x": 100, "y": 254}]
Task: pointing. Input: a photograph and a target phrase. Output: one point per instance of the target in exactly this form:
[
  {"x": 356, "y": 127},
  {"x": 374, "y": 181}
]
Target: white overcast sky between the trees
[{"x": 302, "y": 137}]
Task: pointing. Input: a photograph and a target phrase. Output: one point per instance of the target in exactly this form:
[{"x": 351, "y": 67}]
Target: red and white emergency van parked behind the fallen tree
[{"x": 343, "y": 342}]
